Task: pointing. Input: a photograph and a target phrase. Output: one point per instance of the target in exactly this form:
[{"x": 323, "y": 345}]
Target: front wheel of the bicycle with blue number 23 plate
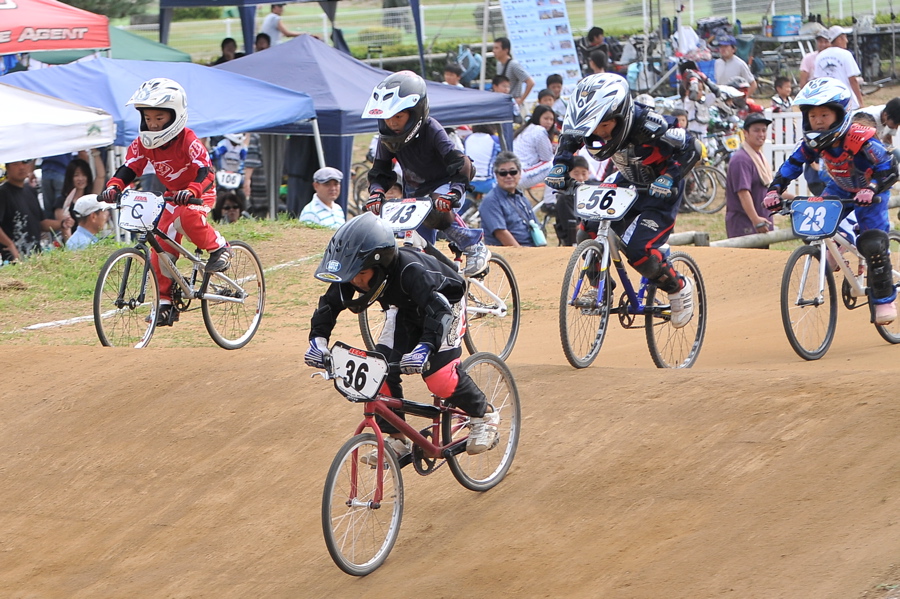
[{"x": 810, "y": 327}]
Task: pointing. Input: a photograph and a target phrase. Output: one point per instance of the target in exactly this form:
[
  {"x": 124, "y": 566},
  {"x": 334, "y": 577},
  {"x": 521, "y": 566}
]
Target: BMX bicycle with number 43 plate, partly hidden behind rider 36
[{"x": 493, "y": 308}]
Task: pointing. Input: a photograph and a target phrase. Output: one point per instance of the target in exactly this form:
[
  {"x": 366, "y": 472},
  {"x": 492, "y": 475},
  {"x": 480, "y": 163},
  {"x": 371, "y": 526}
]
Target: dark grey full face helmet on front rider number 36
[{"x": 364, "y": 242}]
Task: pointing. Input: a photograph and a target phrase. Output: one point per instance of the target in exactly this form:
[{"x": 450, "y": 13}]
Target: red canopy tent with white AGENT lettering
[{"x": 41, "y": 25}]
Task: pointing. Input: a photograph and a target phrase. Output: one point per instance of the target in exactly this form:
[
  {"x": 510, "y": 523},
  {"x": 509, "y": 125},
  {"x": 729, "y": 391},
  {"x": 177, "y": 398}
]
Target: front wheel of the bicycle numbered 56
[{"x": 582, "y": 327}]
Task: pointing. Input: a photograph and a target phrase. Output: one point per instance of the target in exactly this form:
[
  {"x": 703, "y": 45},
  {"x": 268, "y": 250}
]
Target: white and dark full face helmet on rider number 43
[{"x": 398, "y": 92}]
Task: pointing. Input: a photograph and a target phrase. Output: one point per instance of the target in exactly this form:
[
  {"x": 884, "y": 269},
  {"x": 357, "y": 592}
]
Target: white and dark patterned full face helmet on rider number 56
[{"x": 599, "y": 98}]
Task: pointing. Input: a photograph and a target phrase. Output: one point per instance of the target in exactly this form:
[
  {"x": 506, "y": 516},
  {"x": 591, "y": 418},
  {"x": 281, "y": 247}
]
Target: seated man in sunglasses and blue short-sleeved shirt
[{"x": 505, "y": 211}]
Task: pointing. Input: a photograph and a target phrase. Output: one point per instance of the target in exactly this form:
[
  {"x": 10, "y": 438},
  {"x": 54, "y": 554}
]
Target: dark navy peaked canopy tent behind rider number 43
[{"x": 340, "y": 86}]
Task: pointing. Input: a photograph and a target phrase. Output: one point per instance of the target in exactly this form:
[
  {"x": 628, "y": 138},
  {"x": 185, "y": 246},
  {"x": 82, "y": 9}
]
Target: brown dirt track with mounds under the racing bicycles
[{"x": 173, "y": 472}]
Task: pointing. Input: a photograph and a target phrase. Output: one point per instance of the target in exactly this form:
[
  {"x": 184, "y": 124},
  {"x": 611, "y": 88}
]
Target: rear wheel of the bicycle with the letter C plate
[{"x": 232, "y": 325}]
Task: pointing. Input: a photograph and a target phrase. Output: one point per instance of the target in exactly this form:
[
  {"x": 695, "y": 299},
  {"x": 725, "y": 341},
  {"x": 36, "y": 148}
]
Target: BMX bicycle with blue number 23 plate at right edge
[{"x": 808, "y": 290}]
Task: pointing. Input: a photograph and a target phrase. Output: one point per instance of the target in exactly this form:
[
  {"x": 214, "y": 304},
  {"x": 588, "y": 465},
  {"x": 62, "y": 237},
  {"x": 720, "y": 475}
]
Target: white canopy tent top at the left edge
[{"x": 33, "y": 125}]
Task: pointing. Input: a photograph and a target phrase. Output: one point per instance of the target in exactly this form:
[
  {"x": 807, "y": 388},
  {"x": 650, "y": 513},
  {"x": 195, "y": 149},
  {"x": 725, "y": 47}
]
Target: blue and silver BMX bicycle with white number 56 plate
[{"x": 586, "y": 300}]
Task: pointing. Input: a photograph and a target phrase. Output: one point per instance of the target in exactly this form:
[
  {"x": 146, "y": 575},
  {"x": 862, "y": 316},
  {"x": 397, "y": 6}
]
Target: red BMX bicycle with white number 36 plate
[{"x": 362, "y": 504}]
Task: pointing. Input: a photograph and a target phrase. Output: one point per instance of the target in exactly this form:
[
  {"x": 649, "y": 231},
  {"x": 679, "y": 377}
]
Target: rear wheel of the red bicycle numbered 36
[{"x": 484, "y": 471}]
